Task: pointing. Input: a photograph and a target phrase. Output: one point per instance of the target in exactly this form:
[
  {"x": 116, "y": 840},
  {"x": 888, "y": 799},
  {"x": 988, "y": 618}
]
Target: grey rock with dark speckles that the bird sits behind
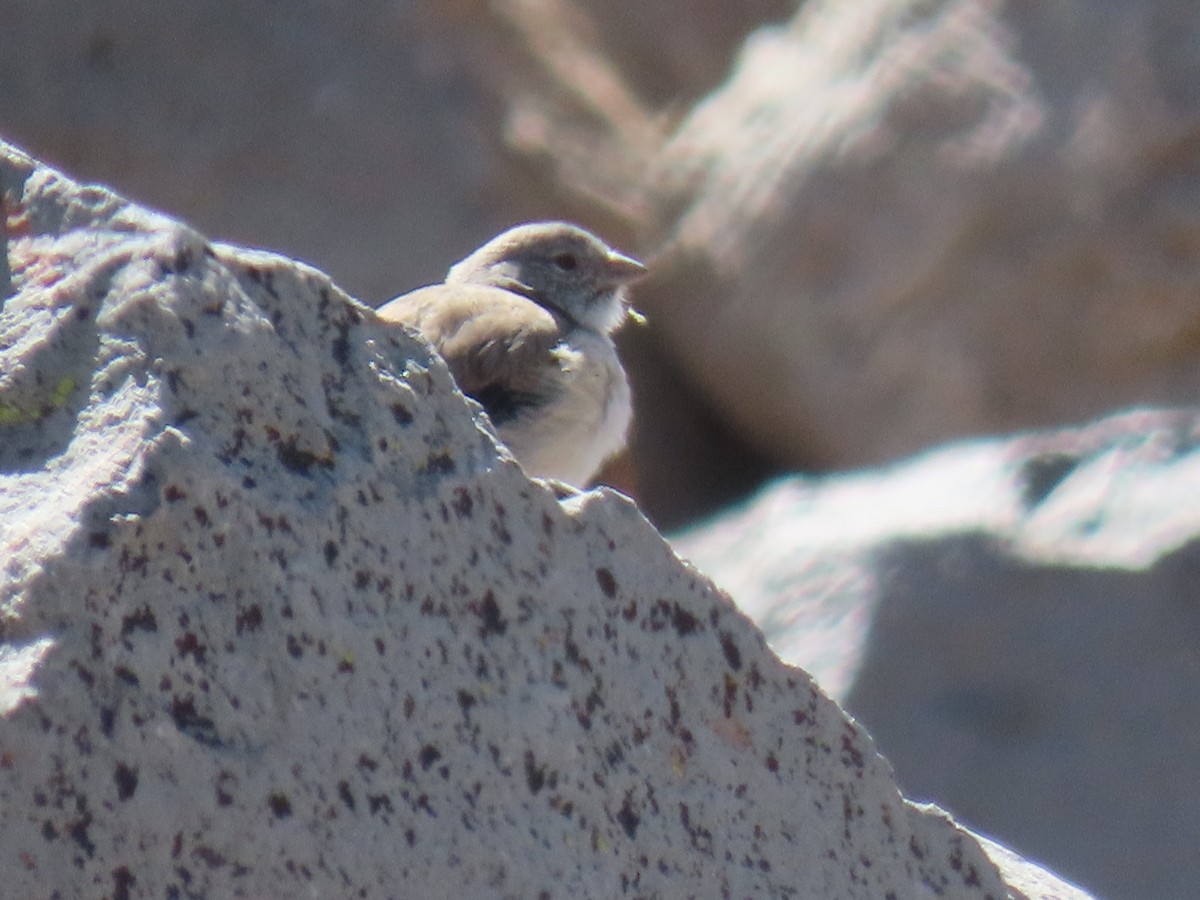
[{"x": 280, "y": 620}]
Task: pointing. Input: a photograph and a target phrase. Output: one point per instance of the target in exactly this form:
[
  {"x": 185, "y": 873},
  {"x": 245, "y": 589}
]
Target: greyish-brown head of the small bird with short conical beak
[{"x": 560, "y": 267}]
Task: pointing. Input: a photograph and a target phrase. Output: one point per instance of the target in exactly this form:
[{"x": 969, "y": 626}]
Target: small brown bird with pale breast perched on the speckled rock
[{"x": 525, "y": 325}]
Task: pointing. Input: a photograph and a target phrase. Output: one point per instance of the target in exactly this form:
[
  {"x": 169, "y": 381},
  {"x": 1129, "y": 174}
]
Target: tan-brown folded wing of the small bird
[{"x": 501, "y": 349}]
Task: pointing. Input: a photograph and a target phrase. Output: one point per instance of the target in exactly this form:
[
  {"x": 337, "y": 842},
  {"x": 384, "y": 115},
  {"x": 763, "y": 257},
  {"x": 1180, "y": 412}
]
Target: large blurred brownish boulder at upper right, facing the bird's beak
[{"x": 903, "y": 221}]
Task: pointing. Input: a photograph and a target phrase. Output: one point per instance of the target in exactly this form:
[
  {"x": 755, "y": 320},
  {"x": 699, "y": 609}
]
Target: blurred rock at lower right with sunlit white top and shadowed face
[{"x": 1015, "y": 621}]
